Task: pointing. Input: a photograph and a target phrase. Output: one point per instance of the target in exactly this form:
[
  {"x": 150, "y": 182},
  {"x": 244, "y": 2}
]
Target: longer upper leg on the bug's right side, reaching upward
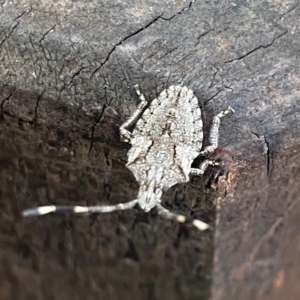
[{"x": 214, "y": 131}]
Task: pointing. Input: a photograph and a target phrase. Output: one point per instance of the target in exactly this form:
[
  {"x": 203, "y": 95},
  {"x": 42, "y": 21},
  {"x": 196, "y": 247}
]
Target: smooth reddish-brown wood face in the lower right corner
[{"x": 257, "y": 246}]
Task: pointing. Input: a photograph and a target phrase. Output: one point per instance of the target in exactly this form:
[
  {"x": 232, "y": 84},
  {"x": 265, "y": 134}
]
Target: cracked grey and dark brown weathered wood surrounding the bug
[{"x": 66, "y": 84}]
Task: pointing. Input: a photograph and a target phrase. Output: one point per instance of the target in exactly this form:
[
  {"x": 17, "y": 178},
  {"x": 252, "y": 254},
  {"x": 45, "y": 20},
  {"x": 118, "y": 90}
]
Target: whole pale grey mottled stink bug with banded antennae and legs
[{"x": 165, "y": 141}]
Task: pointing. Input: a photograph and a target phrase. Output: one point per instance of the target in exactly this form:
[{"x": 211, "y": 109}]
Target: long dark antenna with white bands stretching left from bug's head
[{"x": 43, "y": 210}]
